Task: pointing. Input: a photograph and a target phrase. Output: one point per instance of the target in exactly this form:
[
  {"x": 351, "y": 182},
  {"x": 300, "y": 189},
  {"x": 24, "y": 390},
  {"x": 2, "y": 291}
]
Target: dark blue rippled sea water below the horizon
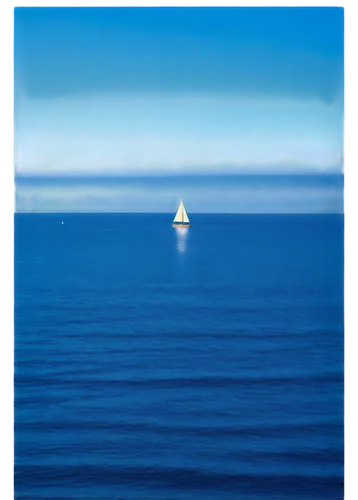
[{"x": 148, "y": 367}]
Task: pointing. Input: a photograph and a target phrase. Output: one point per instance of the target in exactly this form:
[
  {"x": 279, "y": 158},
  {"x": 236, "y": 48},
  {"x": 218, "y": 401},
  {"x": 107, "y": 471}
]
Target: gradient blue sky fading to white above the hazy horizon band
[{"x": 141, "y": 86}]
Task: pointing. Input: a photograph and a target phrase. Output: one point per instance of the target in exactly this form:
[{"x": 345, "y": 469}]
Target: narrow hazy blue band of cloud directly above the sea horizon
[{"x": 265, "y": 192}]
